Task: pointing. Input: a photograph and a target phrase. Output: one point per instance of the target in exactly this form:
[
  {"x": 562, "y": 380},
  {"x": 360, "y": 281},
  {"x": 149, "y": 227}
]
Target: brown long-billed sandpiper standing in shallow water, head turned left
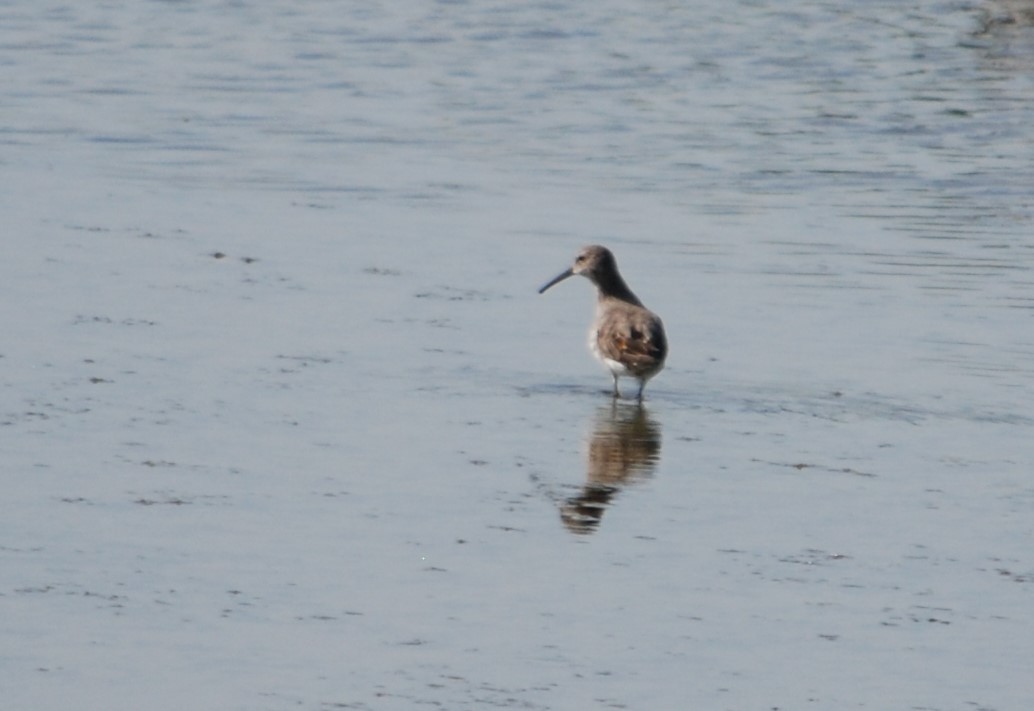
[{"x": 626, "y": 336}]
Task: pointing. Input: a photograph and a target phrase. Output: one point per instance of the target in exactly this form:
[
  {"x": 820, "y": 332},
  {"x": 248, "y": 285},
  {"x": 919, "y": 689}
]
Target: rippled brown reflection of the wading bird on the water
[{"x": 625, "y": 449}]
